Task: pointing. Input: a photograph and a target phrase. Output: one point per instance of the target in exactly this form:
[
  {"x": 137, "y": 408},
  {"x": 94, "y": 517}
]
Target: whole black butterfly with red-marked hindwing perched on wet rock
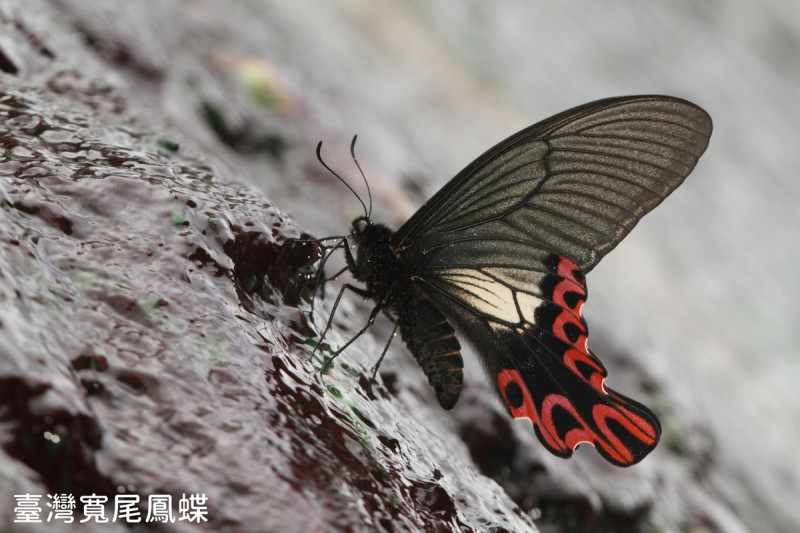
[{"x": 501, "y": 252}]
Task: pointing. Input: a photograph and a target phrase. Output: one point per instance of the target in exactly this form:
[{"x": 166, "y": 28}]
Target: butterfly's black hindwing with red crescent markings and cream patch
[{"x": 527, "y": 326}]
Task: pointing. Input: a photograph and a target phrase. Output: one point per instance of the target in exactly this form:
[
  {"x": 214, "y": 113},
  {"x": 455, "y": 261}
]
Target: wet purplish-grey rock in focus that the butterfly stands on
[{"x": 155, "y": 338}]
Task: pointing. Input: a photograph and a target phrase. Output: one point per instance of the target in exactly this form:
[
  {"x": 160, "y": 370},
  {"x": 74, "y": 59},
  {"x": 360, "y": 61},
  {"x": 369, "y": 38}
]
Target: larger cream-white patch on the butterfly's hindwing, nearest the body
[{"x": 483, "y": 294}]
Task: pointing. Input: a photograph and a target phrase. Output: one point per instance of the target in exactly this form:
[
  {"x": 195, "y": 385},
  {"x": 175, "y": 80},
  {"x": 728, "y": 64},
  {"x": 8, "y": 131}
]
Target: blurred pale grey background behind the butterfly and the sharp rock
[{"x": 703, "y": 295}]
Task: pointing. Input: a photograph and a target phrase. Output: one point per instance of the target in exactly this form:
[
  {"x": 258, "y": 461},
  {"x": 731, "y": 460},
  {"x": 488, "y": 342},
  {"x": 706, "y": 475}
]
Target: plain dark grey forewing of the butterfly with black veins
[{"x": 576, "y": 183}]
